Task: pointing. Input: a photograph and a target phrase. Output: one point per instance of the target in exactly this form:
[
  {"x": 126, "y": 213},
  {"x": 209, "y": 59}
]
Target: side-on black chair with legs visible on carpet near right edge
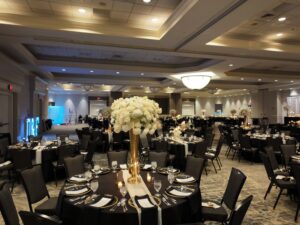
[{"x": 274, "y": 180}]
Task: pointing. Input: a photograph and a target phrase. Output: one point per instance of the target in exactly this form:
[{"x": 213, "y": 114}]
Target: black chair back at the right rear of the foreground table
[{"x": 194, "y": 167}]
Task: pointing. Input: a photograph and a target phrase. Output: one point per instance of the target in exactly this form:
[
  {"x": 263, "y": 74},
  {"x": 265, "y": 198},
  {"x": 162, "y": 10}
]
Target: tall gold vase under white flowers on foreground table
[{"x": 134, "y": 165}]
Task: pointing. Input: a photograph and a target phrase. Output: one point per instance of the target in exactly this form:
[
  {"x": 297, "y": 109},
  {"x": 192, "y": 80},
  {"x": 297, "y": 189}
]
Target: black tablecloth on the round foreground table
[{"x": 184, "y": 210}]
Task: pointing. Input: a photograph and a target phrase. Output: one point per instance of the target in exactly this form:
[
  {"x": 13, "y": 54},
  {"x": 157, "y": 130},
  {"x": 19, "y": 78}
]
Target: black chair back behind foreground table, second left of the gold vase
[{"x": 74, "y": 165}]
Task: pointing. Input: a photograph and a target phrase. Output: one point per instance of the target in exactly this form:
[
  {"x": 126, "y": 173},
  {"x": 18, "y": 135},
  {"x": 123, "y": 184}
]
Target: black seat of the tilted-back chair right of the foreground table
[{"x": 214, "y": 214}]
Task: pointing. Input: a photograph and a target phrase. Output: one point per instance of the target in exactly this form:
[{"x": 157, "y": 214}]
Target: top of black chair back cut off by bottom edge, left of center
[{"x": 30, "y": 218}]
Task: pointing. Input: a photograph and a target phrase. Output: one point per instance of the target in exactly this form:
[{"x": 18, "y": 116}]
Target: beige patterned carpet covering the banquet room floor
[{"x": 212, "y": 186}]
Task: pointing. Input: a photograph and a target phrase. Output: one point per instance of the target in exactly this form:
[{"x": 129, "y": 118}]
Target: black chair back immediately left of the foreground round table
[{"x": 34, "y": 184}]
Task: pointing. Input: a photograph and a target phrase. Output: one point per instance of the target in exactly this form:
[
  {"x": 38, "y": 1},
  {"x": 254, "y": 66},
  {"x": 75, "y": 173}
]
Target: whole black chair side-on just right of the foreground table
[{"x": 234, "y": 186}]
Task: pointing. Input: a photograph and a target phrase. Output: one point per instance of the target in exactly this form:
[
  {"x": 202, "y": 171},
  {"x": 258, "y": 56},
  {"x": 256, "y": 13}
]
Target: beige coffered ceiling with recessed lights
[{"x": 136, "y": 47}]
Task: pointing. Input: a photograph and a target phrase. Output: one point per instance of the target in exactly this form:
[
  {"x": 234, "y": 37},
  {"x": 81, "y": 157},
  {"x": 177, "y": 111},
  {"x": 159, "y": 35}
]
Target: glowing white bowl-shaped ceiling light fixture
[{"x": 196, "y": 80}]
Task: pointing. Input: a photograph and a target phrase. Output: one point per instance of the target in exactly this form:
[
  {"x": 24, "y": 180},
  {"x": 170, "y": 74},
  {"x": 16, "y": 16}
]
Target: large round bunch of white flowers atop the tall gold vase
[{"x": 137, "y": 113}]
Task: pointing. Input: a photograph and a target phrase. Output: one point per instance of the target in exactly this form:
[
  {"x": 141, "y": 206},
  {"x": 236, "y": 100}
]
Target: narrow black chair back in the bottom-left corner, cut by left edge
[{"x": 7, "y": 207}]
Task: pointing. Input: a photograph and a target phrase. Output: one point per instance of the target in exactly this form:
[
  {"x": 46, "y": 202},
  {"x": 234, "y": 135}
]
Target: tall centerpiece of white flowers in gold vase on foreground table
[{"x": 138, "y": 115}]
